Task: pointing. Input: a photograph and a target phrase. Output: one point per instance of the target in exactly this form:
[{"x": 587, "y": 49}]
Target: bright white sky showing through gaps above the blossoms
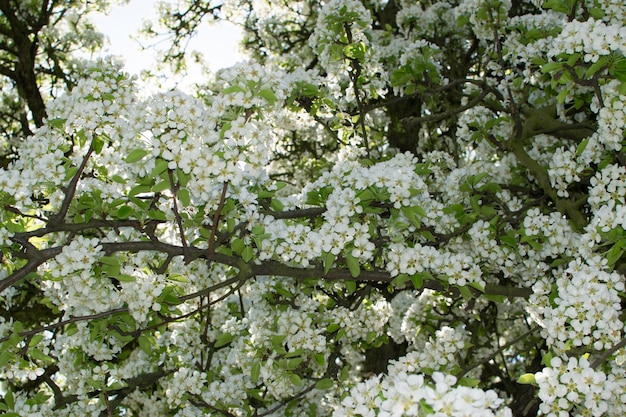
[{"x": 218, "y": 42}]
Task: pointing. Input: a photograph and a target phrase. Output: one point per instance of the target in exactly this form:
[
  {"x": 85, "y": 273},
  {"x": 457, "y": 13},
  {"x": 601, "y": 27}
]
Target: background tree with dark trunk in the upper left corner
[{"x": 41, "y": 42}]
